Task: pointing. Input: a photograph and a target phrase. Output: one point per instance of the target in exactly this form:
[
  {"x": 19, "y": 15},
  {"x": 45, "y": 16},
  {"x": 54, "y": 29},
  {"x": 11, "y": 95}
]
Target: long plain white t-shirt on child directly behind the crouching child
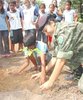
[{"x": 28, "y": 18}]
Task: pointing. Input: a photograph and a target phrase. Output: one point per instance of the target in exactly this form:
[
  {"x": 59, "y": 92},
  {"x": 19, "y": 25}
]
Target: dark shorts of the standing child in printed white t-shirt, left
[{"x": 16, "y": 36}]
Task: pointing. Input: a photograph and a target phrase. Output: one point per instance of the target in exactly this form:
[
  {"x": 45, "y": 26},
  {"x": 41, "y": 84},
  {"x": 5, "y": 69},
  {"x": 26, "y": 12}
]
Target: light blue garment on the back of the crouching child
[{"x": 42, "y": 47}]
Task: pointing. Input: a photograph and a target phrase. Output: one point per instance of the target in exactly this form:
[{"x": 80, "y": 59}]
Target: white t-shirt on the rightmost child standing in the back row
[{"x": 69, "y": 15}]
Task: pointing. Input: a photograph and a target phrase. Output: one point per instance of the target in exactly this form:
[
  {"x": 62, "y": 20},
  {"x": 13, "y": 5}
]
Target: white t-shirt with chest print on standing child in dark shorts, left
[{"x": 14, "y": 19}]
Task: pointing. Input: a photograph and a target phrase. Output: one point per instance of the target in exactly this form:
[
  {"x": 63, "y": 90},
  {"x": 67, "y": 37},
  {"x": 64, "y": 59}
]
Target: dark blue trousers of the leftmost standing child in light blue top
[{"x": 4, "y": 42}]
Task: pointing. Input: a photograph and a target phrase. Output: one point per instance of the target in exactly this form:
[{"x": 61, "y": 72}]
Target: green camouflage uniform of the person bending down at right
[{"x": 68, "y": 42}]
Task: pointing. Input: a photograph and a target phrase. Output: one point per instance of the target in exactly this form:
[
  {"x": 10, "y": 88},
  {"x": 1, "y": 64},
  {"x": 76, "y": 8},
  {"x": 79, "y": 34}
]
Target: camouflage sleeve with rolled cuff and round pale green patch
[{"x": 66, "y": 42}]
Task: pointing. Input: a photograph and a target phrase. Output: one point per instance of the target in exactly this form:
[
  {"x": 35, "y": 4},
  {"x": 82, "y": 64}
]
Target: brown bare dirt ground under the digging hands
[{"x": 62, "y": 89}]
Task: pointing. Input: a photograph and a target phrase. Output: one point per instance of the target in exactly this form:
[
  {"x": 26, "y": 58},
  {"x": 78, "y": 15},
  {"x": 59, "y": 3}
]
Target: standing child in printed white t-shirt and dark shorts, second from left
[{"x": 15, "y": 26}]
